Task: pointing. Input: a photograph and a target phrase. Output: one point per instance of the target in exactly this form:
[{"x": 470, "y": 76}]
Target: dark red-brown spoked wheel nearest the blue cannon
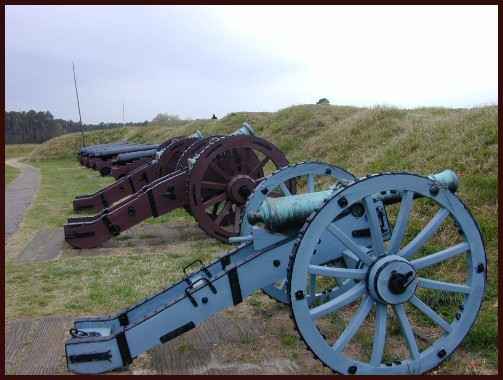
[{"x": 223, "y": 175}]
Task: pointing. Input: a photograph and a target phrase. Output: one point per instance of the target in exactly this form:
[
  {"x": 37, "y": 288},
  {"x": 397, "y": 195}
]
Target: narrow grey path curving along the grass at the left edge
[{"x": 19, "y": 194}]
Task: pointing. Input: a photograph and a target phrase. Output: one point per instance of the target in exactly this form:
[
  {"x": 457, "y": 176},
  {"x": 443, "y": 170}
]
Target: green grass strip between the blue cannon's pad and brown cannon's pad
[{"x": 89, "y": 285}]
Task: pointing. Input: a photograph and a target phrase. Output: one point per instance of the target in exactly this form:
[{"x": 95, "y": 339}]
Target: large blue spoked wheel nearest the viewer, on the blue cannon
[{"x": 402, "y": 286}]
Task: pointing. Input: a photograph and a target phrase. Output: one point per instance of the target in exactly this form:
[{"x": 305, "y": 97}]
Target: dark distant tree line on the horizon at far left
[{"x": 32, "y": 127}]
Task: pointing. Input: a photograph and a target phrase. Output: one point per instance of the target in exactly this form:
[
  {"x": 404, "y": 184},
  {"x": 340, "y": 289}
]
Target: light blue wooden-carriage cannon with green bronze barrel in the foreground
[{"x": 355, "y": 259}]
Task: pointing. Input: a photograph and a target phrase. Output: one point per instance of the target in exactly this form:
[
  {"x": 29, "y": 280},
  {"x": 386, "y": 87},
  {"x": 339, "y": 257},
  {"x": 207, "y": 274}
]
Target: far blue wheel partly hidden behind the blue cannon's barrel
[{"x": 281, "y": 181}]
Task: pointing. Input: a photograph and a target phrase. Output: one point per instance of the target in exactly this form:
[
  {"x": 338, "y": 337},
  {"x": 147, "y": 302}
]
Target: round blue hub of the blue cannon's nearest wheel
[{"x": 392, "y": 279}]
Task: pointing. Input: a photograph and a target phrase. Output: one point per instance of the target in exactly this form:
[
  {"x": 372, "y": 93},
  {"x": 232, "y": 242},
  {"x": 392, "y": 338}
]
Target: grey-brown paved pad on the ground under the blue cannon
[{"x": 36, "y": 347}]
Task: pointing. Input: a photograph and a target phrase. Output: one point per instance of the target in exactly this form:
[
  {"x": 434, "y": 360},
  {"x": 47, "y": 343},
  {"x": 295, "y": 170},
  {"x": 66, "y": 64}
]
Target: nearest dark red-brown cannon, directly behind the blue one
[{"x": 212, "y": 181}]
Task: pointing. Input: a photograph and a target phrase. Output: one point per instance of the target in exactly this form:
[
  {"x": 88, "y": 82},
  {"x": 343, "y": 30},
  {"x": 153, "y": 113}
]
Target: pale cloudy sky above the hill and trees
[{"x": 195, "y": 61}]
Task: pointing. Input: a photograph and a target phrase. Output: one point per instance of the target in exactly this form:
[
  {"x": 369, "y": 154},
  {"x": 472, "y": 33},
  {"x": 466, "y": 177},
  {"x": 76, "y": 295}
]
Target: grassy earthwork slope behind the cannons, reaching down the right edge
[{"x": 361, "y": 140}]
